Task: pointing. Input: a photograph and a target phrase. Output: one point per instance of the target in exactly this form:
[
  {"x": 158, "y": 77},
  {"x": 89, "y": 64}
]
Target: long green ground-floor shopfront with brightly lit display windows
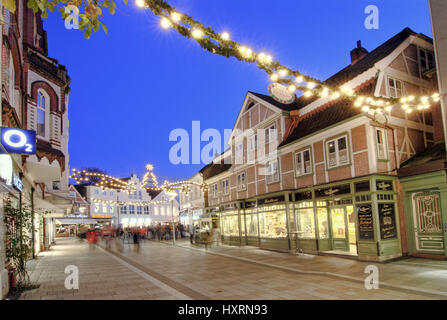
[{"x": 357, "y": 218}]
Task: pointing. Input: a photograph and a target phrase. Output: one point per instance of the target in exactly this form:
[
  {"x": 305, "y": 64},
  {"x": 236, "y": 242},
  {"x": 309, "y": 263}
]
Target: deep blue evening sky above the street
[{"x": 131, "y": 87}]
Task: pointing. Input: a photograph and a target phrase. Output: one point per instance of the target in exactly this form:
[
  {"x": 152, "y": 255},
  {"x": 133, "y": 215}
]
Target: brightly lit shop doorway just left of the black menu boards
[{"x": 343, "y": 229}]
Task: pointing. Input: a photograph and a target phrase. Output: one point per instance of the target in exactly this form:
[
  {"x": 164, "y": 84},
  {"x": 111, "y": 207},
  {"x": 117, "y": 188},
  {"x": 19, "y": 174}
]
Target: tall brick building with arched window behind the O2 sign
[{"x": 34, "y": 94}]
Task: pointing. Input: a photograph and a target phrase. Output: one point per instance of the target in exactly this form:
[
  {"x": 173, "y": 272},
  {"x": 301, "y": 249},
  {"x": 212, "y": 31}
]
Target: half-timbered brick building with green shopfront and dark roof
[{"x": 320, "y": 174}]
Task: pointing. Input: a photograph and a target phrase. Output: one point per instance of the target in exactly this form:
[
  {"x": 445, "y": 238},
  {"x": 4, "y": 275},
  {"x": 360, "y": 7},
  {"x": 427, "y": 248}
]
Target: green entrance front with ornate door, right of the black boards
[{"x": 425, "y": 206}]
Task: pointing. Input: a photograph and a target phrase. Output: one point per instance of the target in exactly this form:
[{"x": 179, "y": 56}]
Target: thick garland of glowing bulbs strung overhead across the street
[{"x": 221, "y": 43}]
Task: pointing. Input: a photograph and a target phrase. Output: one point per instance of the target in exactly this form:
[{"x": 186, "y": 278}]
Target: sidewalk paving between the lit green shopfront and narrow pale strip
[{"x": 408, "y": 274}]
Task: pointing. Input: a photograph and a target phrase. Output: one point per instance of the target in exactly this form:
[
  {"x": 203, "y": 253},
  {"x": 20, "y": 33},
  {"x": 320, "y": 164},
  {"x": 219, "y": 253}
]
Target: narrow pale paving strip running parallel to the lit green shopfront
[{"x": 382, "y": 284}]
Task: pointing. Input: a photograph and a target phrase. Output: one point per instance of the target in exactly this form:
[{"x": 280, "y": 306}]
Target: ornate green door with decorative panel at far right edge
[{"x": 427, "y": 222}]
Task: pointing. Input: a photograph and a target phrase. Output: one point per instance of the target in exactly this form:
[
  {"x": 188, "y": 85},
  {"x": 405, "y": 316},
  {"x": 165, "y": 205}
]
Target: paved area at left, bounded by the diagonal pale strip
[{"x": 101, "y": 276}]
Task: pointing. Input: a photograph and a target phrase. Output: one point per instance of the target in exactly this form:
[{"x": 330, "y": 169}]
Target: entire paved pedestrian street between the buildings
[{"x": 162, "y": 271}]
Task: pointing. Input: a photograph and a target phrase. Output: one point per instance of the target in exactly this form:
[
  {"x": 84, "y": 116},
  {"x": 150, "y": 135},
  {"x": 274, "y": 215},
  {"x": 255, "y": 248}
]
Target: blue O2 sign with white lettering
[{"x": 18, "y": 141}]
